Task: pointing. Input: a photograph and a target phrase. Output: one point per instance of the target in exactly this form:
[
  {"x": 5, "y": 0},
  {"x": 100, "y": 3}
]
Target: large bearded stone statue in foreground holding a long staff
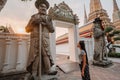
[{"x": 40, "y": 59}]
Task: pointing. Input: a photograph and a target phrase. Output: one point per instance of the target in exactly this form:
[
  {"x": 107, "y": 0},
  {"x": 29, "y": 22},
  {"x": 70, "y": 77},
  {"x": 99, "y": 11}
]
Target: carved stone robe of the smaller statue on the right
[{"x": 99, "y": 44}]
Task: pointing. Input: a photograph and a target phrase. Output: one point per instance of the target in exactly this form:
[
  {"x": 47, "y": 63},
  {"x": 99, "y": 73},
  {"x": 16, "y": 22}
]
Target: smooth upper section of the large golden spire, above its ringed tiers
[{"x": 95, "y": 5}]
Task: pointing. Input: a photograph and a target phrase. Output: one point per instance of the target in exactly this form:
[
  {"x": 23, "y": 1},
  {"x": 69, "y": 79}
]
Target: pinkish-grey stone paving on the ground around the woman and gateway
[{"x": 96, "y": 73}]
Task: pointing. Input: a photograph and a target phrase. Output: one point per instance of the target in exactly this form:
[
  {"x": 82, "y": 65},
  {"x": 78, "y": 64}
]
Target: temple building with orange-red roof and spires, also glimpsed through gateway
[{"x": 96, "y": 10}]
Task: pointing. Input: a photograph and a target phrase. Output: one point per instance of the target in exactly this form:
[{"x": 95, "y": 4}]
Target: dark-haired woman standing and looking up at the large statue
[{"x": 84, "y": 66}]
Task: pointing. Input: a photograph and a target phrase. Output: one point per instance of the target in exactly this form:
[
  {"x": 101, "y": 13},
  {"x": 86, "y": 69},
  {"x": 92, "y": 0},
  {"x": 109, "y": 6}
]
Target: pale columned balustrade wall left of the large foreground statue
[{"x": 13, "y": 52}]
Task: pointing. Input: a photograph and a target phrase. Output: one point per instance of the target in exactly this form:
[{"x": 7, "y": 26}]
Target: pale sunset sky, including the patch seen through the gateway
[{"x": 17, "y": 13}]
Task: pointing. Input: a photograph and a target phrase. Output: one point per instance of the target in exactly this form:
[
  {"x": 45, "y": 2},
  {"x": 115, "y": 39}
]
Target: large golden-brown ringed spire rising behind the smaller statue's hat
[{"x": 96, "y": 10}]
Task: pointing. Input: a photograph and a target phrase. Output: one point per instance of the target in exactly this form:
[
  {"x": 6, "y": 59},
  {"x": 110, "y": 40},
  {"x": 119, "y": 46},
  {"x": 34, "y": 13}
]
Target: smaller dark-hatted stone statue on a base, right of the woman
[{"x": 100, "y": 50}]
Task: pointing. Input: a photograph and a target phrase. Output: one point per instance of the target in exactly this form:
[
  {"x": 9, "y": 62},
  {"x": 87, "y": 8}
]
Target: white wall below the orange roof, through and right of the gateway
[{"x": 89, "y": 43}]
